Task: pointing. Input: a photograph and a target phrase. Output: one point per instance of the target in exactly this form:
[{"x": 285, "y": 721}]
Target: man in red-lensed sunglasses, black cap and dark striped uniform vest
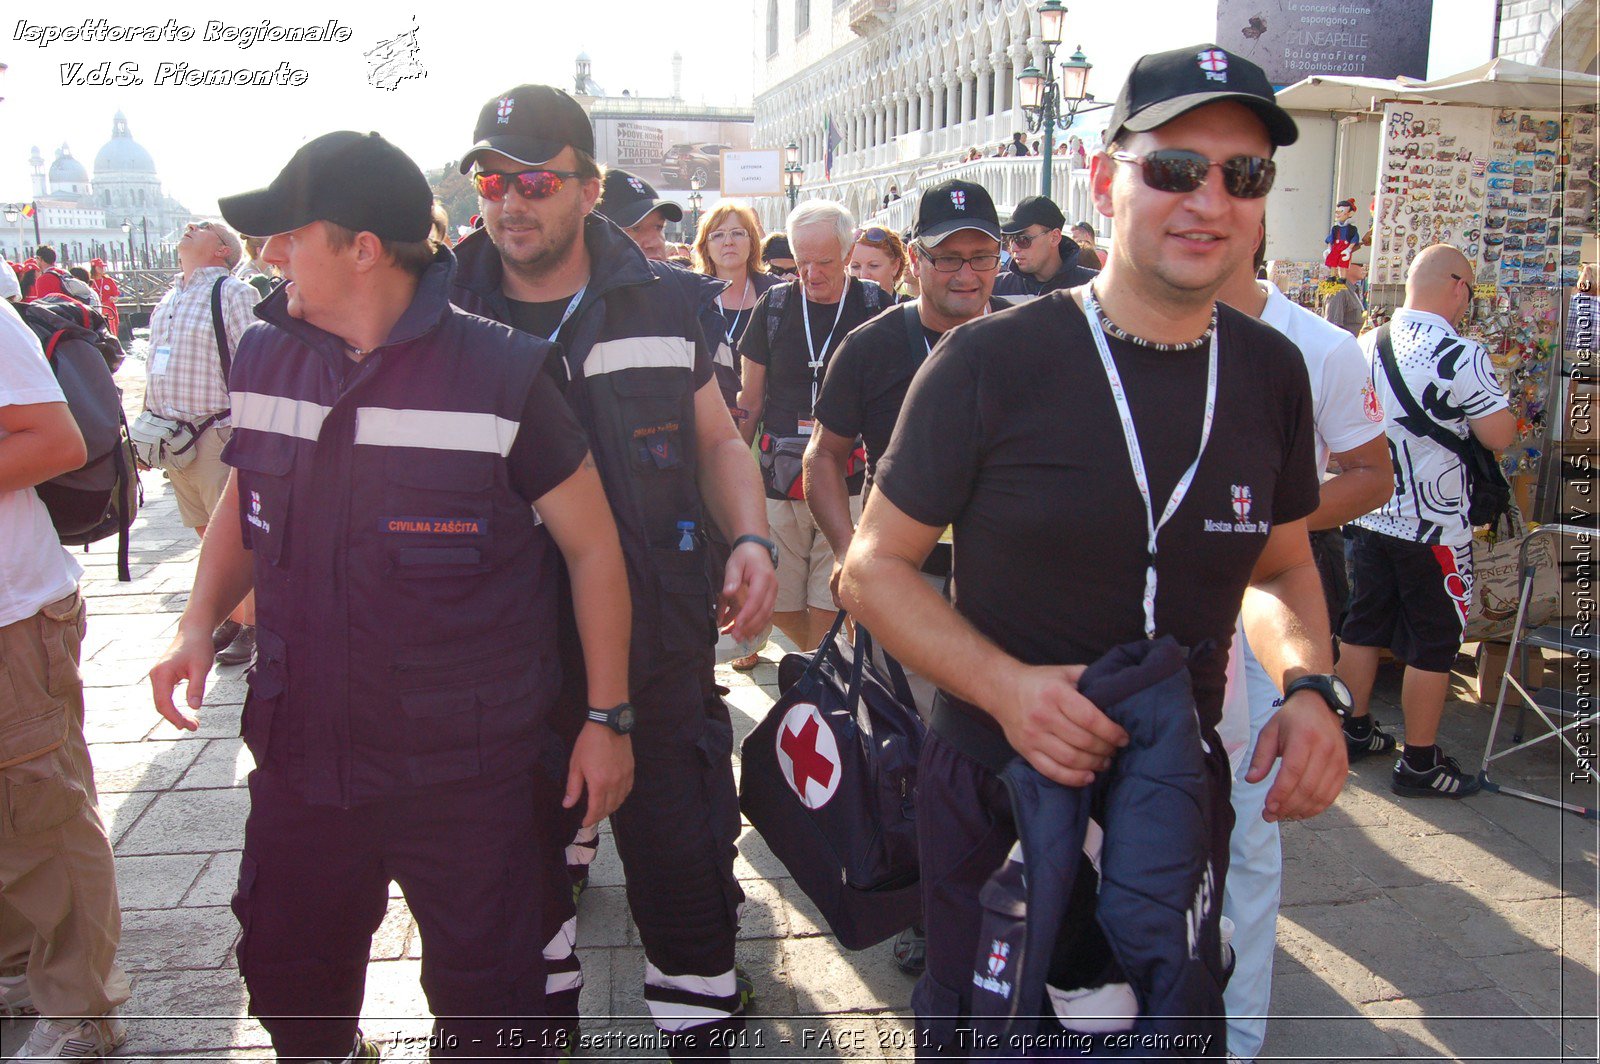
[{"x": 639, "y": 375}]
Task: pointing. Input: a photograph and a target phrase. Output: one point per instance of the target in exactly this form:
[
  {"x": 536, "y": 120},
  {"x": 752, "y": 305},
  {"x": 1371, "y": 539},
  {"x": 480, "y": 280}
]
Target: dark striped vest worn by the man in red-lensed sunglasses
[{"x": 630, "y": 356}]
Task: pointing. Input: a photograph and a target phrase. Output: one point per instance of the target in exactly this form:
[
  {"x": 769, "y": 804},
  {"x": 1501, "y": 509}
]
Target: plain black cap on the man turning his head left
[{"x": 353, "y": 180}]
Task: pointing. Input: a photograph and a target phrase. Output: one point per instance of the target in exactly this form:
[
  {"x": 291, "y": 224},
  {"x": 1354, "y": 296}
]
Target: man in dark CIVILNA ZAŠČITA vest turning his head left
[{"x": 404, "y": 484}]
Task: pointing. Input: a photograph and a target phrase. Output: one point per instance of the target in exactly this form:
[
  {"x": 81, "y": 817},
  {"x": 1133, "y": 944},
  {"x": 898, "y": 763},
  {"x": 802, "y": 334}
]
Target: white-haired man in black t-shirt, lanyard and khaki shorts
[{"x": 783, "y": 375}]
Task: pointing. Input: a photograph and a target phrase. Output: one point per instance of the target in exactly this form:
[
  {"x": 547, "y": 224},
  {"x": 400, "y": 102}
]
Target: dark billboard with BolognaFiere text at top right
[{"x": 1298, "y": 39}]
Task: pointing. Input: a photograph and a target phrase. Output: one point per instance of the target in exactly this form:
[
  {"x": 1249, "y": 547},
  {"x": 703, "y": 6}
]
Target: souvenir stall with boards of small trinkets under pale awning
[{"x": 1498, "y": 162}]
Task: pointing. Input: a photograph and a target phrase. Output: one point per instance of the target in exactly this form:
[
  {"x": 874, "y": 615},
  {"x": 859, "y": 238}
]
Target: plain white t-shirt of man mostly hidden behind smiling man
[{"x": 1346, "y": 417}]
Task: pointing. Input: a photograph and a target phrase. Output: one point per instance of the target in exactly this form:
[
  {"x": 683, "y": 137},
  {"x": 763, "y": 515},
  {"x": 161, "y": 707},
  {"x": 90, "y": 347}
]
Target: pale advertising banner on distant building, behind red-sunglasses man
[{"x": 668, "y": 153}]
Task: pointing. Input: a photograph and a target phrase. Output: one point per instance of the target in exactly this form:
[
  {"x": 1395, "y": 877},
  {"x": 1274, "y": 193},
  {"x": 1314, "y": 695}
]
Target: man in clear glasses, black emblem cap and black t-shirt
[{"x": 956, "y": 252}]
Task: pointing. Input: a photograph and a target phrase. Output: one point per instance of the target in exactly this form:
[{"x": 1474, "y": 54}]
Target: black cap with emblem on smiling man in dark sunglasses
[{"x": 1169, "y": 84}]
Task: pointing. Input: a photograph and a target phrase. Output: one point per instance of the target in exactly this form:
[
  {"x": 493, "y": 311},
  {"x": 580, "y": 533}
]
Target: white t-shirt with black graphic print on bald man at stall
[{"x": 1452, "y": 382}]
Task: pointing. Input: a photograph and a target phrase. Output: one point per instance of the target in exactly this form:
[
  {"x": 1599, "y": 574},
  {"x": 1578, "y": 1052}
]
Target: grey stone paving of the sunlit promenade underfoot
[{"x": 1412, "y": 930}]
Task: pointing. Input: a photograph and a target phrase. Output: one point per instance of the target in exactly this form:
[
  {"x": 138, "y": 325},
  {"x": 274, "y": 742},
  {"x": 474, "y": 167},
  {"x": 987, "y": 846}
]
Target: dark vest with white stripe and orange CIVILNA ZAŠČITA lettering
[{"x": 406, "y": 593}]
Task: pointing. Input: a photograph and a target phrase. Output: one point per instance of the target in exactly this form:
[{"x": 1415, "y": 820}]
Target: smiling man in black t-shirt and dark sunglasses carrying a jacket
[{"x": 1138, "y": 407}]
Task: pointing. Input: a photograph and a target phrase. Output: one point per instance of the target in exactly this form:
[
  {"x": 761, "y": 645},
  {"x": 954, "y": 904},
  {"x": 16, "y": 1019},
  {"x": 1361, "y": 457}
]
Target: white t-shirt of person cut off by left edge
[{"x": 36, "y": 570}]
